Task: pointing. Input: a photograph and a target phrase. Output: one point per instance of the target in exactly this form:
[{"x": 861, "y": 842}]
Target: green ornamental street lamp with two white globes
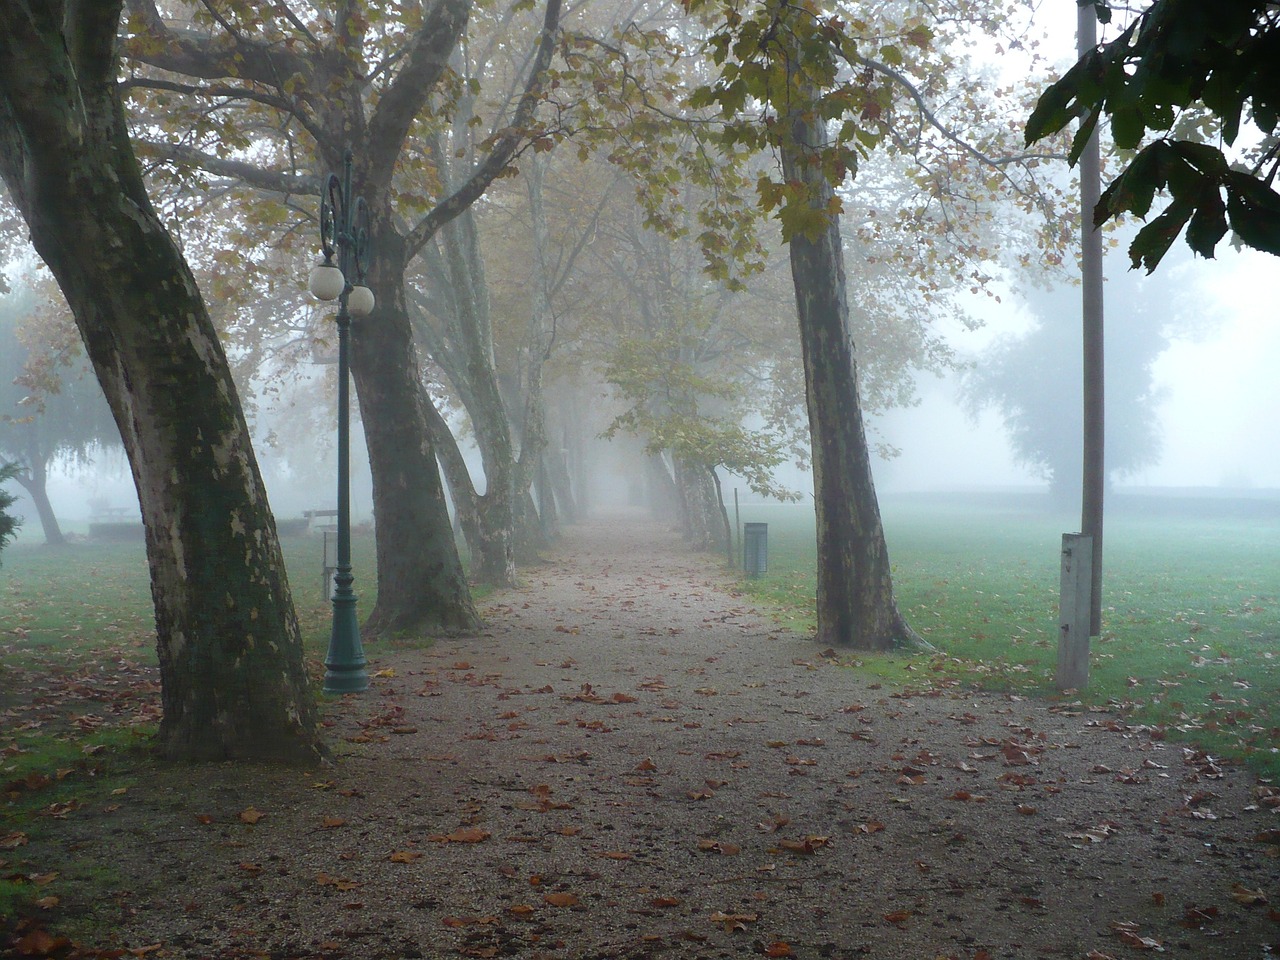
[{"x": 344, "y": 225}]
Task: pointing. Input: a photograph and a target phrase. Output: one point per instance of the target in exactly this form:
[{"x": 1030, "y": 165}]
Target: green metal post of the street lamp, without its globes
[{"x": 345, "y": 665}]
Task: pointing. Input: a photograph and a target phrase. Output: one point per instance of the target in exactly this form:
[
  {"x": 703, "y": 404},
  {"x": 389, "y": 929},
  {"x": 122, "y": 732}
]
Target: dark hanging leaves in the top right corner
[{"x": 1192, "y": 74}]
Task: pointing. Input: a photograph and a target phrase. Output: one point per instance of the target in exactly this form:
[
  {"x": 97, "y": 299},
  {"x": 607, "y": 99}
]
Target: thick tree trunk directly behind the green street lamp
[{"x": 422, "y": 587}]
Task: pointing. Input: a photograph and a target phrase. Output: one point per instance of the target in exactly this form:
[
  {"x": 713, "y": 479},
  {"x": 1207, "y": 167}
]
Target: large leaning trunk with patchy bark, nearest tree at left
[{"x": 231, "y": 655}]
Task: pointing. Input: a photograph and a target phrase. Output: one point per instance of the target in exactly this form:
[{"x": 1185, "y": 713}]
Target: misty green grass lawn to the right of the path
[{"x": 1191, "y": 638}]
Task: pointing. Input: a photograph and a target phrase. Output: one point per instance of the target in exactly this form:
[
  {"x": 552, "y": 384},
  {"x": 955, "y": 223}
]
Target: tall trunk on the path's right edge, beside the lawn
[{"x": 856, "y": 588}]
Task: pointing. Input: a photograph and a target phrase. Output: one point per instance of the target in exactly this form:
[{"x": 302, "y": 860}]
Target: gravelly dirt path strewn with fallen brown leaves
[{"x": 630, "y": 762}]
